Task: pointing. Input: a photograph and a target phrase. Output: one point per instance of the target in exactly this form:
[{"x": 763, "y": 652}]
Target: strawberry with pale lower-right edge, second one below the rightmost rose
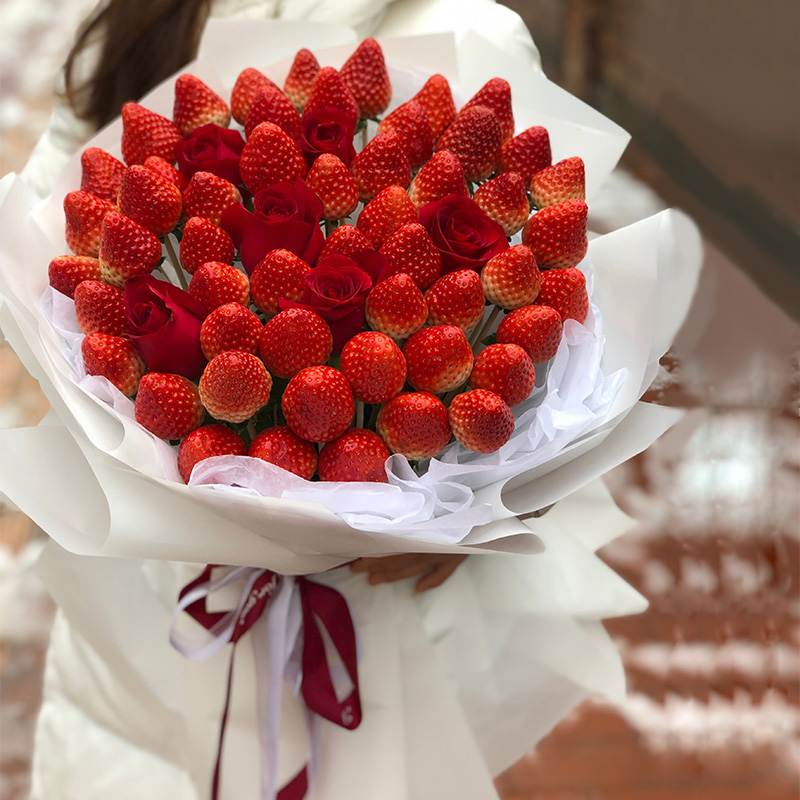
[{"x": 439, "y": 359}]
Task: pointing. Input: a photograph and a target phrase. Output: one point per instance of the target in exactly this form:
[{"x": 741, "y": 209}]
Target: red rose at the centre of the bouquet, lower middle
[{"x": 337, "y": 290}]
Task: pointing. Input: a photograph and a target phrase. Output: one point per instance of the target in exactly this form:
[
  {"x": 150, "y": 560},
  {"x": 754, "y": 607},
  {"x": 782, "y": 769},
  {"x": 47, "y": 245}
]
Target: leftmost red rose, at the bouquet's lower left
[{"x": 164, "y": 322}]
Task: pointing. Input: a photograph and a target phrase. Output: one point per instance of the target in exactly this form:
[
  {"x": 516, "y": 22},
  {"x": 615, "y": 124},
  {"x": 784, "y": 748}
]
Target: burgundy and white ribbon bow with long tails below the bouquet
[{"x": 295, "y": 607}]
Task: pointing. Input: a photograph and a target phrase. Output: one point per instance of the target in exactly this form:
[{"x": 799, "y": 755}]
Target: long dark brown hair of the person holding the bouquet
[{"x": 143, "y": 42}]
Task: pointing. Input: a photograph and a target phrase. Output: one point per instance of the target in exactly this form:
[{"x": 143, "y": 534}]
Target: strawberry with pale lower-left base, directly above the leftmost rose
[{"x": 126, "y": 249}]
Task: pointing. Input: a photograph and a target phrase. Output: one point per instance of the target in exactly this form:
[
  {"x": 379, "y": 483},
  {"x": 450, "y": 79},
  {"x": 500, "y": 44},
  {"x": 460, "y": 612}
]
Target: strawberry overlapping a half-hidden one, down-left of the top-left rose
[{"x": 152, "y": 201}]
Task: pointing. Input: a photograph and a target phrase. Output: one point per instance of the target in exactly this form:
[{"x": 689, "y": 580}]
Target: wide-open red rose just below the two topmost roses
[{"x": 284, "y": 215}]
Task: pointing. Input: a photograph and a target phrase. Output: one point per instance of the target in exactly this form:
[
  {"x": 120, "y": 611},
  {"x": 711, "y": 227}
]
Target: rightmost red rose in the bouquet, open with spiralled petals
[{"x": 465, "y": 236}]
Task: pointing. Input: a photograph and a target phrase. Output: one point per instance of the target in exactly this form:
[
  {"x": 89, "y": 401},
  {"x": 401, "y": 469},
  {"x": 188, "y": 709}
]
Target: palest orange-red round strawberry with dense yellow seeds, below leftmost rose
[{"x": 234, "y": 386}]
